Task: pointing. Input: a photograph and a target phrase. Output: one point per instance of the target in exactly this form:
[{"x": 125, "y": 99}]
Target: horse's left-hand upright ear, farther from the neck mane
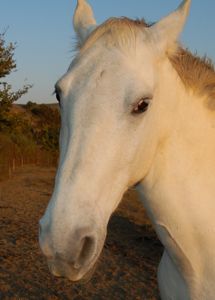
[{"x": 83, "y": 20}]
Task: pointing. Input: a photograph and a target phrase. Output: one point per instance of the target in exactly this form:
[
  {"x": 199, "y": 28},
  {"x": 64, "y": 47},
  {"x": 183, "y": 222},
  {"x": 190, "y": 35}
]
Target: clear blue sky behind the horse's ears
[{"x": 44, "y": 35}]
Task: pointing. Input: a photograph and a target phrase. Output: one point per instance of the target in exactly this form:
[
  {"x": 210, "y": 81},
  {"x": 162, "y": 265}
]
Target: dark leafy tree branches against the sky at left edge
[{"x": 7, "y": 65}]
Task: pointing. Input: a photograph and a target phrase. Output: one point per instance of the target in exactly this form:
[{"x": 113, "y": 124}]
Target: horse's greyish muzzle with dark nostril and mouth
[{"x": 77, "y": 258}]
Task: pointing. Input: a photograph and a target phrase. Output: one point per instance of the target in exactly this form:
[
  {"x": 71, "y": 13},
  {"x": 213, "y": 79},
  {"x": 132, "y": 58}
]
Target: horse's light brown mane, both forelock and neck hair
[{"x": 196, "y": 73}]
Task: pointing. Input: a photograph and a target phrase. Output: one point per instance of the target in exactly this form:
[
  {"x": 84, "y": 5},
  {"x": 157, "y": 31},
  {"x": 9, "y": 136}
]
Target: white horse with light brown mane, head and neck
[{"x": 136, "y": 109}]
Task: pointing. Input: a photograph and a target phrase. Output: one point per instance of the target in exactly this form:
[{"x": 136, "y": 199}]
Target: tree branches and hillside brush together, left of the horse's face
[{"x": 28, "y": 133}]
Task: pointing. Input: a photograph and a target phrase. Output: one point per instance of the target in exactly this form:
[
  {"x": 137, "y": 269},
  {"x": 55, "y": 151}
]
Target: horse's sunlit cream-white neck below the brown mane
[{"x": 179, "y": 189}]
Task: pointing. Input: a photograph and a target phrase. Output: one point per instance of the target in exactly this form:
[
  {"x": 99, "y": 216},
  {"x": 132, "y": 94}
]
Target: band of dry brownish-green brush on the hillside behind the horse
[{"x": 29, "y": 134}]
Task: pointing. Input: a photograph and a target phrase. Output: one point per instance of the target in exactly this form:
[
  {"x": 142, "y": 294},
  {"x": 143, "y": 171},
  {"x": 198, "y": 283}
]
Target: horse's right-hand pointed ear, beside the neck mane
[{"x": 167, "y": 31}]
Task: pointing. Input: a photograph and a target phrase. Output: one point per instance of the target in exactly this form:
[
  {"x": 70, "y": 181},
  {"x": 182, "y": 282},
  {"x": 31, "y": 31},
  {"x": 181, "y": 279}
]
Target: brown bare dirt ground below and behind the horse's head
[{"x": 127, "y": 268}]
